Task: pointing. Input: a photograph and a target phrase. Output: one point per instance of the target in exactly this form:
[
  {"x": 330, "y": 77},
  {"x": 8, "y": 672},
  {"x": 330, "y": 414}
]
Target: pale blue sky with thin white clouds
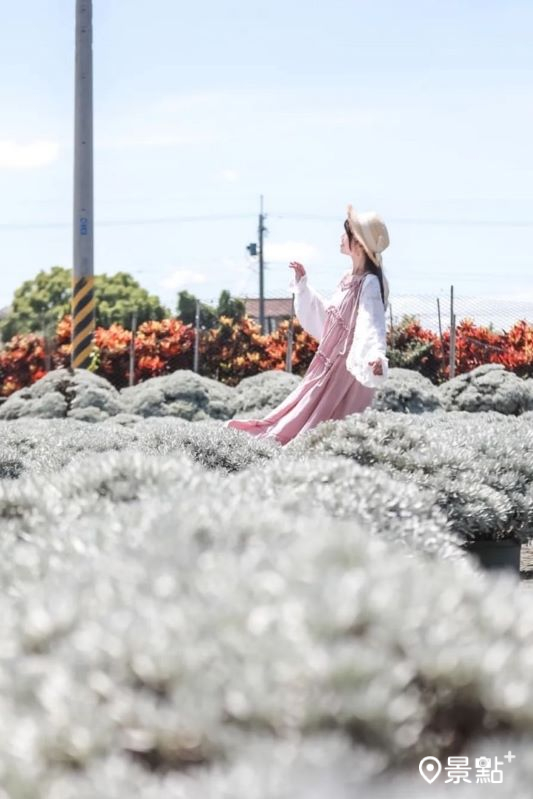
[{"x": 420, "y": 110}]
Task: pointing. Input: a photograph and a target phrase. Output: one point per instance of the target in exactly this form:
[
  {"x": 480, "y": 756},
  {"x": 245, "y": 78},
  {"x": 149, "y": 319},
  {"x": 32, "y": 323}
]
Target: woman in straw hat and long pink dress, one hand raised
[{"x": 350, "y": 362}]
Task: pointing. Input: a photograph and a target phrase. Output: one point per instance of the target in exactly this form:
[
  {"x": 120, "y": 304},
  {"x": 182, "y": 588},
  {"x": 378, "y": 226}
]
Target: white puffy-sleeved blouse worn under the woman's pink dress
[{"x": 369, "y": 341}]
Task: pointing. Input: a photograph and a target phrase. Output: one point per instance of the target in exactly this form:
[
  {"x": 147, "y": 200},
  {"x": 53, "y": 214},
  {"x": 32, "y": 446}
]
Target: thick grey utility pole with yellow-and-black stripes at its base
[{"x": 83, "y": 321}]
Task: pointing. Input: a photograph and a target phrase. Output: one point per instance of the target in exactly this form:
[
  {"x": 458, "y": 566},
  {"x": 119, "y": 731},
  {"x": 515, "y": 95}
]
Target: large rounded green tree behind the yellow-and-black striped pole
[{"x": 46, "y": 298}]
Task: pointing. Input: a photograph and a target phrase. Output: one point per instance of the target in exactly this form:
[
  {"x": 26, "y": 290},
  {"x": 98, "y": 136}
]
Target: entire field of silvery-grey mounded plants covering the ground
[{"x": 191, "y": 612}]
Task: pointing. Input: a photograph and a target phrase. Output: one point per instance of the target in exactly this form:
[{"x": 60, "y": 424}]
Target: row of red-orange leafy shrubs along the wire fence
[{"x": 234, "y": 350}]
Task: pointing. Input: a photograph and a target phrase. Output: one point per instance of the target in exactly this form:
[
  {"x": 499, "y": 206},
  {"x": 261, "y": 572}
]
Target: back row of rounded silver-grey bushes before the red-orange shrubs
[{"x": 184, "y": 394}]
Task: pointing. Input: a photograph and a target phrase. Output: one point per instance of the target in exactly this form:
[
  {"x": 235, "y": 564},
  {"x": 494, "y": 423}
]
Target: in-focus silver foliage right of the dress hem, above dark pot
[{"x": 479, "y": 466}]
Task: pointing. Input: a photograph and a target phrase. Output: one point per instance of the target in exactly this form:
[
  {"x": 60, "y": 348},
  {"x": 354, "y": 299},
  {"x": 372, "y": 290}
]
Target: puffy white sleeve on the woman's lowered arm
[{"x": 370, "y": 339}]
